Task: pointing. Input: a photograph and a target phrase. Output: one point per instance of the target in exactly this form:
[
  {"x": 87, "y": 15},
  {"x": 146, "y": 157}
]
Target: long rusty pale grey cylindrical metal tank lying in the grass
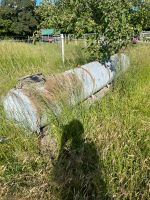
[{"x": 29, "y": 102}]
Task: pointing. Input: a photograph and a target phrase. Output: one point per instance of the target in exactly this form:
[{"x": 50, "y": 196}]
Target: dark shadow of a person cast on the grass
[{"x": 78, "y": 168}]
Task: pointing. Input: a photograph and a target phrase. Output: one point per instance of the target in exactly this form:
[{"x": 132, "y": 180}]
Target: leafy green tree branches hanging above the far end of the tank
[{"x": 114, "y": 22}]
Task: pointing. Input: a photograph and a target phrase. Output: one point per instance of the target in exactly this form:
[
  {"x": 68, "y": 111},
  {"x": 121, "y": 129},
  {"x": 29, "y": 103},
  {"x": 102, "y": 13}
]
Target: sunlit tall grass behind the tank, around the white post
[{"x": 20, "y": 59}]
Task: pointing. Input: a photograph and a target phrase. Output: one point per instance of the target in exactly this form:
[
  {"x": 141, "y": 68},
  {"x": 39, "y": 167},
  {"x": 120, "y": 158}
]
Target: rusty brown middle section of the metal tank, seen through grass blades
[{"x": 56, "y": 89}]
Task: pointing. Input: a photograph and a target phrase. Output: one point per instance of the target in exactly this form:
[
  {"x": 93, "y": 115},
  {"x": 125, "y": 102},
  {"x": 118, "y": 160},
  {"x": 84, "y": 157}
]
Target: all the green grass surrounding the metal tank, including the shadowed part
[{"x": 102, "y": 151}]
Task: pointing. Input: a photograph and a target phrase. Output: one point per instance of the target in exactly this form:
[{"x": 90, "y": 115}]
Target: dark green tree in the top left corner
[{"x": 17, "y": 17}]
